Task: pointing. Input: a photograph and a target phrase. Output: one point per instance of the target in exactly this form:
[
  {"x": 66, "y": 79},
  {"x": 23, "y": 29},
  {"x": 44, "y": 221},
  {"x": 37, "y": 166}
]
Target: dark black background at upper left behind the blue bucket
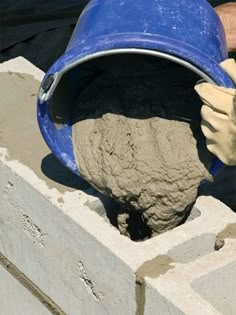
[{"x": 40, "y": 30}]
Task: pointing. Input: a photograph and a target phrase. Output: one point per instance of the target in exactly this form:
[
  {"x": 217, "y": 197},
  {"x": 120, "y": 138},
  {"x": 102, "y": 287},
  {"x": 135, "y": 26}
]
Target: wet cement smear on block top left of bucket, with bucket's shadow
[{"x": 19, "y": 131}]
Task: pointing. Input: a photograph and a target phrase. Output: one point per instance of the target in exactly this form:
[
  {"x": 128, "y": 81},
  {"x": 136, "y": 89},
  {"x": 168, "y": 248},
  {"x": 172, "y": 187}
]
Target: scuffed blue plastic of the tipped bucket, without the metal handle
[{"x": 187, "y": 29}]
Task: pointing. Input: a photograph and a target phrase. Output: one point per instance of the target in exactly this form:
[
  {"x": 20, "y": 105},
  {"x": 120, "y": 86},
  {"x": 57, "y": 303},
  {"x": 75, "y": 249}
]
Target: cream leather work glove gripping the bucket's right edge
[{"x": 219, "y": 116}]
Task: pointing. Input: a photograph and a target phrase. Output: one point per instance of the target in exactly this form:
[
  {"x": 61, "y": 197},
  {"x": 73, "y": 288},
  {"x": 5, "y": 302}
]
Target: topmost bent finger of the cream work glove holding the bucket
[{"x": 218, "y": 98}]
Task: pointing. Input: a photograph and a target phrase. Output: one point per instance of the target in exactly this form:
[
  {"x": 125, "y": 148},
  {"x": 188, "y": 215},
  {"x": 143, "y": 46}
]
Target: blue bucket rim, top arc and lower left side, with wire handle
[{"x": 106, "y": 46}]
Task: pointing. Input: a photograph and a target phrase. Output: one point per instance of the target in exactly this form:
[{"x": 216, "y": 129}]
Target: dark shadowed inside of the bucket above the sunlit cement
[{"x": 159, "y": 82}]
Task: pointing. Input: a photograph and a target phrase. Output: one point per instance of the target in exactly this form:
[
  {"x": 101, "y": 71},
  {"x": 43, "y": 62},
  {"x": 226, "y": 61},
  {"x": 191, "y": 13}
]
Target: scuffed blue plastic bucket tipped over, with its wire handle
[{"x": 187, "y": 32}]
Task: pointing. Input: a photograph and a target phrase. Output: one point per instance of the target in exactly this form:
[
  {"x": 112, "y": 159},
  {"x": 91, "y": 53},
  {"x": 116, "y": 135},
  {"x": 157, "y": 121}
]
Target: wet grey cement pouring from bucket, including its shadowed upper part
[{"x": 130, "y": 143}]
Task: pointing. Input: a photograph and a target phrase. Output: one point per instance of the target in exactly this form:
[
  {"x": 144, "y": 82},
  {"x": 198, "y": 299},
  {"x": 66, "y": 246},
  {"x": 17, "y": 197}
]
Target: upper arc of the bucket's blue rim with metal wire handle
[{"x": 155, "y": 45}]
